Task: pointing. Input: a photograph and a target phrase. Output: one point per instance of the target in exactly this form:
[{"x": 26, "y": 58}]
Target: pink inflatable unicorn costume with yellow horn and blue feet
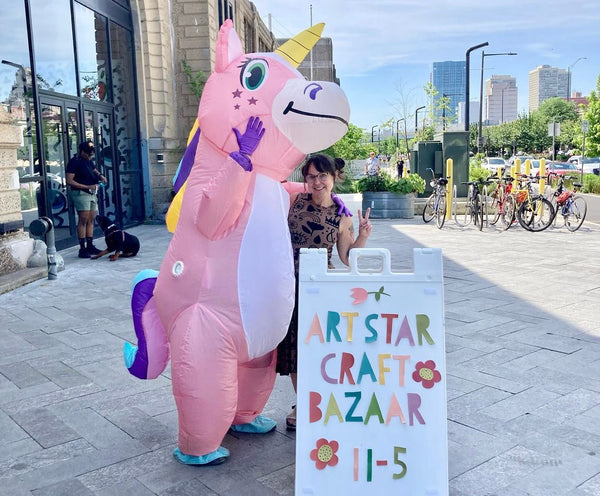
[{"x": 224, "y": 295}]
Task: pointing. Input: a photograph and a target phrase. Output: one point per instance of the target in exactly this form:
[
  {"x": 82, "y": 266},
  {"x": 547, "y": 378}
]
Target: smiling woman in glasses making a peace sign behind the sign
[{"x": 315, "y": 221}]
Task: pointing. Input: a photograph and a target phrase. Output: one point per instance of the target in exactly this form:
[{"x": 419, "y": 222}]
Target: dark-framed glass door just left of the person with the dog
[{"x": 59, "y": 143}]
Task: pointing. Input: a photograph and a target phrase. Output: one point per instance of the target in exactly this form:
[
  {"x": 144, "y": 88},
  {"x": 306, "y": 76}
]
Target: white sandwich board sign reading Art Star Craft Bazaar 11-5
[{"x": 371, "y": 414}]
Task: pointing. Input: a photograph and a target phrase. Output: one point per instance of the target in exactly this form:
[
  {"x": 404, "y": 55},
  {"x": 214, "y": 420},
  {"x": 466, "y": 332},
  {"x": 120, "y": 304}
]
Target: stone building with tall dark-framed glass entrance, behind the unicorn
[{"x": 127, "y": 90}]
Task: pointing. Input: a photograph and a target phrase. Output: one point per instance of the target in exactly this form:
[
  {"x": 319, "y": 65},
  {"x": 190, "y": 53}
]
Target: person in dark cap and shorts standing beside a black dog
[{"x": 83, "y": 179}]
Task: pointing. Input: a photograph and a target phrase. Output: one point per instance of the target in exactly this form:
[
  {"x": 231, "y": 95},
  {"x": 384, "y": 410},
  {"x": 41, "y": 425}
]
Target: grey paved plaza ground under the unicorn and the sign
[{"x": 523, "y": 361}]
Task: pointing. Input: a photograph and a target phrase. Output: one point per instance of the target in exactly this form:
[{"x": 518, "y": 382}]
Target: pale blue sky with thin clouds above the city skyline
[{"x": 383, "y": 50}]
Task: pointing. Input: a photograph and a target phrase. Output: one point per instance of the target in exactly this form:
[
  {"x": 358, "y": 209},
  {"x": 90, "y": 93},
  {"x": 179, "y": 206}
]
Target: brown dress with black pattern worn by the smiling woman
[{"x": 310, "y": 226}]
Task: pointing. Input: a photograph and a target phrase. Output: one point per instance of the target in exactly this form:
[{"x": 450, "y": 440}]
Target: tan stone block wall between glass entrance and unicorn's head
[{"x": 174, "y": 34}]
